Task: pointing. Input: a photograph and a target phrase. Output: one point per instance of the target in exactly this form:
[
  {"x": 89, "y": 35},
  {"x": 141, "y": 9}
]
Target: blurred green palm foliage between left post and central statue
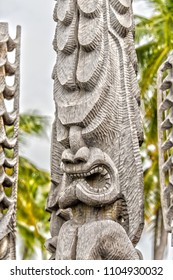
[{"x": 33, "y": 186}]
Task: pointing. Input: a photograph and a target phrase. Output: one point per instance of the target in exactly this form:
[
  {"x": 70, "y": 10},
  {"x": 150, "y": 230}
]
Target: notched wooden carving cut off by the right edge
[{"x": 165, "y": 140}]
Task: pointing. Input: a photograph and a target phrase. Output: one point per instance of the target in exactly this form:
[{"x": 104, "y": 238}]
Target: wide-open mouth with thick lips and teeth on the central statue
[{"x": 94, "y": 182}]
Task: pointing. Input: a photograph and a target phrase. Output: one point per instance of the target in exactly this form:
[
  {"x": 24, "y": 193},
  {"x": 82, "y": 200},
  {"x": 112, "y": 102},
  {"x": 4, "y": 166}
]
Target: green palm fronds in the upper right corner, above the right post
[{"x": 154, "y": 36}]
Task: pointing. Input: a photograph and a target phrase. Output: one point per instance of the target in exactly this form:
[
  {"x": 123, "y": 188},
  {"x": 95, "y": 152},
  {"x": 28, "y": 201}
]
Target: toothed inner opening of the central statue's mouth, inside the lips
[{"x": 97, "y": 179}]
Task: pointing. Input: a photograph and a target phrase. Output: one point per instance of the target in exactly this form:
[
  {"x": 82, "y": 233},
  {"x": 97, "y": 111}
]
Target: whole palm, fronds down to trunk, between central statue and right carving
[{"x": 154, "y": 39}]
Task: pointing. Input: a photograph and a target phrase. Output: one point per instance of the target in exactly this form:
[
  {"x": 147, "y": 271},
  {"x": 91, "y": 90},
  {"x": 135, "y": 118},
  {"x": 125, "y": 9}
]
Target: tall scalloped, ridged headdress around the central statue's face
[{"x": 95, "y": 87}]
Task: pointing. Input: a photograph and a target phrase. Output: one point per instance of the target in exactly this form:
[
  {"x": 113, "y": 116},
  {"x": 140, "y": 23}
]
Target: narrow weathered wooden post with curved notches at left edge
[{"x": 9, "y": 125}]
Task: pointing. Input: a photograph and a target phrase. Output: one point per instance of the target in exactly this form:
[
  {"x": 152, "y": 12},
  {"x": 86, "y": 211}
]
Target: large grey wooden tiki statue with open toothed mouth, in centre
[{"x": 96, "y": 197}]
